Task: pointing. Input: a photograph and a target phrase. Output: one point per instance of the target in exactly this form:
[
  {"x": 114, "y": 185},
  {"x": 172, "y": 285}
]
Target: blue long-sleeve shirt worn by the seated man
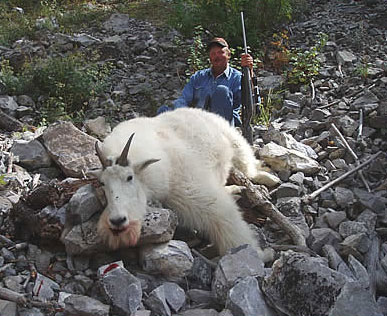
[{"x": 202, "y": 85}]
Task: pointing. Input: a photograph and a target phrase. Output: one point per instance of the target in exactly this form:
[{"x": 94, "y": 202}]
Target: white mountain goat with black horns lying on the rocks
[{"x": 181, "y": 158}]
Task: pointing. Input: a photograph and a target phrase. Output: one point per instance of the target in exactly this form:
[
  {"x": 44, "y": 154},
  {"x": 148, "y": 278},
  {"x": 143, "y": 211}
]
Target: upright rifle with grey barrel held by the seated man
[{"x": 247, "y": 99}]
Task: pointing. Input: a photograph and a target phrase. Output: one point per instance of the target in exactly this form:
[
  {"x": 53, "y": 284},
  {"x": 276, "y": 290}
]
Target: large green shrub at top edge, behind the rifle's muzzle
[{"x": 222, "y": 18}]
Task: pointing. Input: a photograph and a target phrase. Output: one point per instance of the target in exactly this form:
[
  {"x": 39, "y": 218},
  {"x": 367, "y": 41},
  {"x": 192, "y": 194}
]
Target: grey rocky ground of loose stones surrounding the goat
[{"x": 326, "y": 221}]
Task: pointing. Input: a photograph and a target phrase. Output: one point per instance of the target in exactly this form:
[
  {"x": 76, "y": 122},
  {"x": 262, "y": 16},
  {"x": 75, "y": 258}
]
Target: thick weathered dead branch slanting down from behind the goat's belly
[{"x": 260, "y": 199}]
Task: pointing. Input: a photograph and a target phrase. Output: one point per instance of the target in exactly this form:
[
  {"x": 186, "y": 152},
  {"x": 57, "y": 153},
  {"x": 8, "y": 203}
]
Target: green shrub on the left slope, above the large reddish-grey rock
[{"x": 67, "y": 84}]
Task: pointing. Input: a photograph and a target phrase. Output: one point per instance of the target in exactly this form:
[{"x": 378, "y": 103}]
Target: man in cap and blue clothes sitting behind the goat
[{"x": 218, "y": 88}]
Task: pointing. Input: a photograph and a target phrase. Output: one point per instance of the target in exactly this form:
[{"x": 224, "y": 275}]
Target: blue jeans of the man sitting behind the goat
[{"x": 221, "y": 103}]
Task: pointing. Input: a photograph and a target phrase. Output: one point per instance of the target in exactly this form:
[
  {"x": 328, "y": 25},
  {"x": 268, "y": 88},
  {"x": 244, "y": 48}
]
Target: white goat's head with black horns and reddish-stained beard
[{"x": 120, "y": 223}]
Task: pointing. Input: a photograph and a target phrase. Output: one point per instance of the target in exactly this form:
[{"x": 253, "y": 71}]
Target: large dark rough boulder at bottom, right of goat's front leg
[{"x": 300, "y": 285}]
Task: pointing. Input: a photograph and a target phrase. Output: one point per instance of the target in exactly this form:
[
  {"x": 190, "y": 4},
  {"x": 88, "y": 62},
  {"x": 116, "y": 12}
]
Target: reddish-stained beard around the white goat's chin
[{"x": 127, "y": 238}]
